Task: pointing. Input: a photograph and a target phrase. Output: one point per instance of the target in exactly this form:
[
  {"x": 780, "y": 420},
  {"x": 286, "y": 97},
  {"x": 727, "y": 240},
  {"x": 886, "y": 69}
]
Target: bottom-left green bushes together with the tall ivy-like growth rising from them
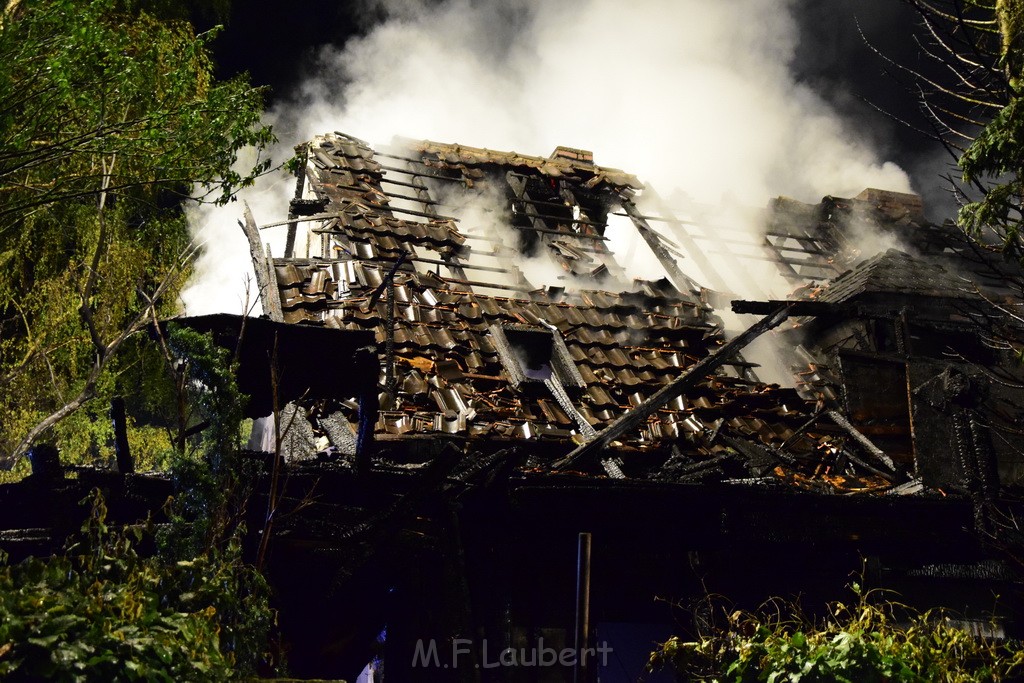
[{"x": 191, "y": 609}]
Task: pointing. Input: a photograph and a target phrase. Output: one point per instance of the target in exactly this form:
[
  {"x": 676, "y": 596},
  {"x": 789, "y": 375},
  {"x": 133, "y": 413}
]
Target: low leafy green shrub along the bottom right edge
[{"x": 862, "y": 643}]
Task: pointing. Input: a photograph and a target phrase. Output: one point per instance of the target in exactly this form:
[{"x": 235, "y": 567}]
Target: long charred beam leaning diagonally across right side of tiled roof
[{"x": 695, "y": 374}]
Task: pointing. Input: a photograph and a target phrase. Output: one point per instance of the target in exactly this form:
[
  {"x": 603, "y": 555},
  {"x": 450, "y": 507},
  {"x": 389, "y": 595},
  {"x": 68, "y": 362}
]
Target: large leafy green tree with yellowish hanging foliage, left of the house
[{"x": 110, "y": 121}]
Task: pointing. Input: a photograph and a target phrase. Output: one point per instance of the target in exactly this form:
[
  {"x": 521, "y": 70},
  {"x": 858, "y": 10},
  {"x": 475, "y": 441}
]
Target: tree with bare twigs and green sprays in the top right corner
[{"x": 971, "y": 95}]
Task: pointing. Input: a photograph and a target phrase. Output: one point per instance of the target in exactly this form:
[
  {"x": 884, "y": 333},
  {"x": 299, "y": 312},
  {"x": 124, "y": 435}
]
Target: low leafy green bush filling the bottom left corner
[{"x": 103, "y": 613}]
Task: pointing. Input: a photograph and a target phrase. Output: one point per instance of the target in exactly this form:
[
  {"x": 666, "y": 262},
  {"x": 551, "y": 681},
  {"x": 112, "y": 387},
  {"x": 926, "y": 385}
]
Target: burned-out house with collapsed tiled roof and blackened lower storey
[{"x": 537, "y": 423}]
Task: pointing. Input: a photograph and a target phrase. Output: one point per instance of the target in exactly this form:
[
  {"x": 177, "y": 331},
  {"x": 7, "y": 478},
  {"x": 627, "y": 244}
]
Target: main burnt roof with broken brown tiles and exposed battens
[{"x": 477, "y": 349}]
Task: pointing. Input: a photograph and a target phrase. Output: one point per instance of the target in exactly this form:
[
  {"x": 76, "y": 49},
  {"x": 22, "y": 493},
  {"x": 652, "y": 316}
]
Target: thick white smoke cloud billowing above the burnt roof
[{"x": 691, "y": 96}]
